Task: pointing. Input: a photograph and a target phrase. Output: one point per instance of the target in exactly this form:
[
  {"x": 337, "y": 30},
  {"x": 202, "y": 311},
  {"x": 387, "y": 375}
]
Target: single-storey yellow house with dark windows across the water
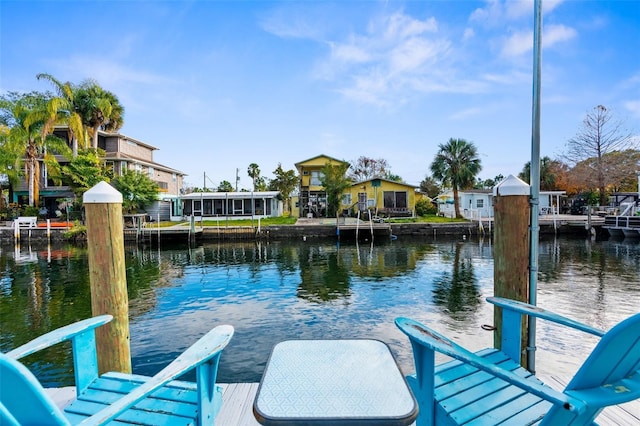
[{"x": 383, "y": 197}]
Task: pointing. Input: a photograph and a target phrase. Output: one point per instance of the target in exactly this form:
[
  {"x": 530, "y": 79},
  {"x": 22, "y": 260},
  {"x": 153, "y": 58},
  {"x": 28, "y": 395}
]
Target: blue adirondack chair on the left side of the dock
[{"x": 126, "y": 398}]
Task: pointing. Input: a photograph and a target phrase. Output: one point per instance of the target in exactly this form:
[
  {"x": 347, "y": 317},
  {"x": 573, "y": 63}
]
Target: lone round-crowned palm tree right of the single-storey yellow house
[{"x": 456, "y": 165}]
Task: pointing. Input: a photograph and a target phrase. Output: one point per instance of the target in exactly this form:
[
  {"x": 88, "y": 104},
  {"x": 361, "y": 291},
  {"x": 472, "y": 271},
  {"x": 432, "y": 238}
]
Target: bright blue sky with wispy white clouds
[{"x": 219, "y": 85}]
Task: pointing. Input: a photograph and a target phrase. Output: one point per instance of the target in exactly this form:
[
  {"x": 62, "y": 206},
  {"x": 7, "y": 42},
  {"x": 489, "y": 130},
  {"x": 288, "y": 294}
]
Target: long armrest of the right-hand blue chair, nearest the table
[{"x": 436, "y": 342}]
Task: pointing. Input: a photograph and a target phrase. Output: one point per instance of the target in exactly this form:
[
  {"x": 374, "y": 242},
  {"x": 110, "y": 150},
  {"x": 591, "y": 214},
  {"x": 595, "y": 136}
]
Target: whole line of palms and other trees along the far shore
[{"x": 601, "y": 158}]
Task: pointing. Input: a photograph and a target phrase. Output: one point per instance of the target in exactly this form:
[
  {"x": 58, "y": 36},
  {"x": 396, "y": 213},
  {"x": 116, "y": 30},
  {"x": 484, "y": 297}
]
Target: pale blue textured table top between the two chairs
[{"x": 336, "y": 382}]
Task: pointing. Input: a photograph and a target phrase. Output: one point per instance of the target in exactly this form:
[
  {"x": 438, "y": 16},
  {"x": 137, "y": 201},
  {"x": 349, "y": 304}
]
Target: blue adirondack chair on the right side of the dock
[{"x": 489, "y": 387}]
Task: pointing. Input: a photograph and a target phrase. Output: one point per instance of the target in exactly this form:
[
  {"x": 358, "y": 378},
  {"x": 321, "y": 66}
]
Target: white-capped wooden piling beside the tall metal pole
[{"x": 511, "y": 250}]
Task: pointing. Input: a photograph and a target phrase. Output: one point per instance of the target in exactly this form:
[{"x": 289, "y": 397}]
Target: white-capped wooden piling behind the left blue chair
[{"x": 107, "y": 275}]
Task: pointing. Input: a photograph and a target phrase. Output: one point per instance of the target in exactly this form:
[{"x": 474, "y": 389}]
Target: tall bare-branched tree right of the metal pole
[{"x": 599, "y": 135}]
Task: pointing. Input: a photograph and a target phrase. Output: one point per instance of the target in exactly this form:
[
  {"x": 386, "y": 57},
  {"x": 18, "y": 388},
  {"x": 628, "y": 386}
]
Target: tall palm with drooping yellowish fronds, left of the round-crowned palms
[{"x": 62, "y": 110}]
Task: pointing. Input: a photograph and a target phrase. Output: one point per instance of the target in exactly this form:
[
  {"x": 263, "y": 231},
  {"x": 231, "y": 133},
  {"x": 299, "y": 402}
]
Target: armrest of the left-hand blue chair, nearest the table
[{"x": 207, "y": 349}]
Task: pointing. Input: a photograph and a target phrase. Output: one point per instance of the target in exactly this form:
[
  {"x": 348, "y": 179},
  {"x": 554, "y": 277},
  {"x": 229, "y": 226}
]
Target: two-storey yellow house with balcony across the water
[{"x": 312, "y": 198}]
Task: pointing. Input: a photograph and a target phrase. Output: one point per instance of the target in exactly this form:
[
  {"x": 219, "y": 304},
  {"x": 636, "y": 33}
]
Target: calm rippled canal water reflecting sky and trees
[{"x": 314, "y": 290}]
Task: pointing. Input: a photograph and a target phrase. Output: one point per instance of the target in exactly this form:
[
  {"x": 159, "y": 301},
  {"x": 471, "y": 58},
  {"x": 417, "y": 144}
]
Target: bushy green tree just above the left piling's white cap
[{"x": 85, "y": 171}]
